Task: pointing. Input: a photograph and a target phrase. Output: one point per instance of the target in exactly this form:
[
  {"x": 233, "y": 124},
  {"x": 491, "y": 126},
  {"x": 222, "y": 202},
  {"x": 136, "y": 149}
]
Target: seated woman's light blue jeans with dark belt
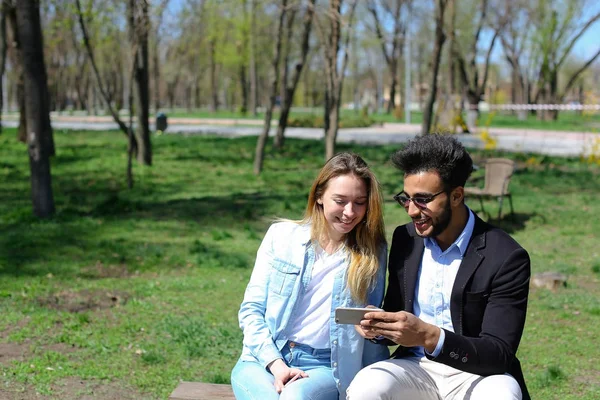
[{"x": 251, "y": 381}]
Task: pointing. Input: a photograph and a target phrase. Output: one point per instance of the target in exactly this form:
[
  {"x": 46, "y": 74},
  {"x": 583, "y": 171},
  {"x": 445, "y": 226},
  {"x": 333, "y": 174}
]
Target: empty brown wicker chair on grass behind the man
[{"x": 498, "y": 172}]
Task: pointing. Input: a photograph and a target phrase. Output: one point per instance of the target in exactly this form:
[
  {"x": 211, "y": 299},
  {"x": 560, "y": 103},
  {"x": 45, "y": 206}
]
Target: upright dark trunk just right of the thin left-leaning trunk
[{"x": 139, "y": 24}]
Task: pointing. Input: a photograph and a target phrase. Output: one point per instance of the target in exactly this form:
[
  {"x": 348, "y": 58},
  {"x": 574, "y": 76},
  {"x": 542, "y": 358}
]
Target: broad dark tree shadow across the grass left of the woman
[{"x": 36, "y": 248}]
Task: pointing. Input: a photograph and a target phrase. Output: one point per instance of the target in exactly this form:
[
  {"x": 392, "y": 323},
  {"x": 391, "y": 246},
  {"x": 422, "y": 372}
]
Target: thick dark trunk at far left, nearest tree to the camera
[{"x": 39, "y": 132}]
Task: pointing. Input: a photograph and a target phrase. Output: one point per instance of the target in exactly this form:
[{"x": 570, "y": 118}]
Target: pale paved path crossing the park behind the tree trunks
[{"x": 523, "y": 140}]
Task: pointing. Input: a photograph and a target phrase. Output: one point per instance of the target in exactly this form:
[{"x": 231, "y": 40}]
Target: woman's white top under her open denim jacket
[{"x": 310, "y": 323}]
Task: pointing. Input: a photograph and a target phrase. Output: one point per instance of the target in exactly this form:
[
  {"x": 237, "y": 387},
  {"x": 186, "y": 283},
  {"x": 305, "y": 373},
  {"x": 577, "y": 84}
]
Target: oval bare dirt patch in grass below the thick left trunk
[{"x": 84, "y": 300}]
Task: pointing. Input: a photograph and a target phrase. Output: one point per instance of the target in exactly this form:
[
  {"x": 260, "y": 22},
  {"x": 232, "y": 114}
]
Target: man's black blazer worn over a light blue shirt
[{"x": 488, "y": 300}]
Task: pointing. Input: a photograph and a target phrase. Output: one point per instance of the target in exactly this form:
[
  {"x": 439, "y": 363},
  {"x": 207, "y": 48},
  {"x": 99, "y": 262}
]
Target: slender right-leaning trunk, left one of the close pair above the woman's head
[{"x": 262, "y": 139}]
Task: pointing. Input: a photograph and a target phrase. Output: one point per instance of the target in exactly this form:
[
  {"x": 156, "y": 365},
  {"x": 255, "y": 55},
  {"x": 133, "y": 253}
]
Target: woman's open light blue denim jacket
[{"x": 283, "y": 266}]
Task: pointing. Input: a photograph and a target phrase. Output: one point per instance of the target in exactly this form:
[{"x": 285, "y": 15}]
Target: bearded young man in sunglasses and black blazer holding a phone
[{"x": 457, "y": 293}]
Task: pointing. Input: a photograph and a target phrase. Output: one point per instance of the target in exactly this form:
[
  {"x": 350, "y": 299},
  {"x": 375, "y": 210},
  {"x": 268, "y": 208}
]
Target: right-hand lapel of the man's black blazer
[{"x": 471, "y": 261}]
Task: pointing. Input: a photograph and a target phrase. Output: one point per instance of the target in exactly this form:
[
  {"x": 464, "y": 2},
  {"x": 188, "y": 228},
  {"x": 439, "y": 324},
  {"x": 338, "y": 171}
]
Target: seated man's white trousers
[{"x": 422, "y": 379}]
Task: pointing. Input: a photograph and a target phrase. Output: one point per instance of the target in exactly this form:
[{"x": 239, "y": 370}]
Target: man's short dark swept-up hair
[{"x": 443, "y": 154}]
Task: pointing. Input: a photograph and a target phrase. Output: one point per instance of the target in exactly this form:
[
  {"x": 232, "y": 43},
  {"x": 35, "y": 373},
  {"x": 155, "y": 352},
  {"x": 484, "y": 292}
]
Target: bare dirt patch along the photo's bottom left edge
[{"x": 73, "y": 389}]
